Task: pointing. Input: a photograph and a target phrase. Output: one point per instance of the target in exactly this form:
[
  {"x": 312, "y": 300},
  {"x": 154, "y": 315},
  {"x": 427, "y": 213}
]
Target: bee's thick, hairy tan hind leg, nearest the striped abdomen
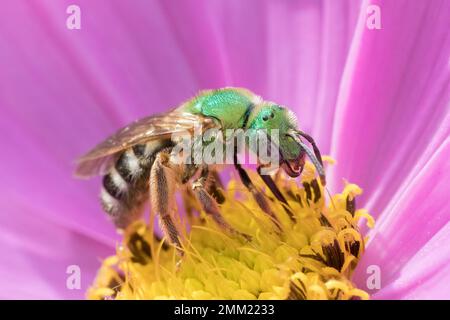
[{"x": 162, "y": 196}]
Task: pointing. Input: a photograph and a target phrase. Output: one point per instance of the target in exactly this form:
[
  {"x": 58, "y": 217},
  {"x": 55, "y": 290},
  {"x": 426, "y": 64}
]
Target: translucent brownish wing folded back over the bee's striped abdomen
[{"x": 162, "y": 126}]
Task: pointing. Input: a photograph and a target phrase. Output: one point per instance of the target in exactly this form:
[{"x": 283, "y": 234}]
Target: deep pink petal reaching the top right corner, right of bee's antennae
[{"x": 394, "y": 98}]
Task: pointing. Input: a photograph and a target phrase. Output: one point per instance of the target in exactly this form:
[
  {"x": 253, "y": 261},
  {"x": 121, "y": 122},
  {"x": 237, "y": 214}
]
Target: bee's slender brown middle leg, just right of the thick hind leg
[{"x": 209, "y": 204}]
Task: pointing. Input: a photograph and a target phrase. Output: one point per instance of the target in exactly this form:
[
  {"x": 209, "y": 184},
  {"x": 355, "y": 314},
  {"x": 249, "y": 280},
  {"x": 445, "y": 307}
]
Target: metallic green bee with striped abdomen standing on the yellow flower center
[{"x": 137, "y": 162}]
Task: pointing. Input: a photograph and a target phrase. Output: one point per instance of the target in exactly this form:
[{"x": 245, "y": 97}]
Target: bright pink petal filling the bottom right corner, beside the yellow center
[{"x": 407, "y": 231}]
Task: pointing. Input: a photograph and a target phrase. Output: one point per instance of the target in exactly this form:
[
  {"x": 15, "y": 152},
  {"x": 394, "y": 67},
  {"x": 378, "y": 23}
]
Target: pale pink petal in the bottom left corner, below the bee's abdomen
[{"x": 36, "y": 254}]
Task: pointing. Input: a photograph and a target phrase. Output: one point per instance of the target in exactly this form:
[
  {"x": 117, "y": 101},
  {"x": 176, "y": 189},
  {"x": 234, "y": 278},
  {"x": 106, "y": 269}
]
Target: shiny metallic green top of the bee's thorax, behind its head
[{"x": 228, "y": 105}]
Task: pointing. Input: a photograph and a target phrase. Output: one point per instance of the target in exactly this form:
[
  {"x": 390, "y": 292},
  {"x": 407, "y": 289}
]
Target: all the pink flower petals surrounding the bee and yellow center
[{"x": 376, "y": 100}]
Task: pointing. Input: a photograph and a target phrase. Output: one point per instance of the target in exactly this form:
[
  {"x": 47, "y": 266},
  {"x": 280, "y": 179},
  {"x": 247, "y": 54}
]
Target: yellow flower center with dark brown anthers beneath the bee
[{"x": 312, "y": 258}]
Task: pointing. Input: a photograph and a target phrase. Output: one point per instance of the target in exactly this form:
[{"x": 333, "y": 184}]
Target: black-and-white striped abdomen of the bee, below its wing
[{"x": 126, "y": 187}]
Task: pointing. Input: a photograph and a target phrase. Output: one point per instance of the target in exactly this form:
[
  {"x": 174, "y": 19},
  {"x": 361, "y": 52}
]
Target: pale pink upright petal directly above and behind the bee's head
[{"x": 307, "y": 46}]
